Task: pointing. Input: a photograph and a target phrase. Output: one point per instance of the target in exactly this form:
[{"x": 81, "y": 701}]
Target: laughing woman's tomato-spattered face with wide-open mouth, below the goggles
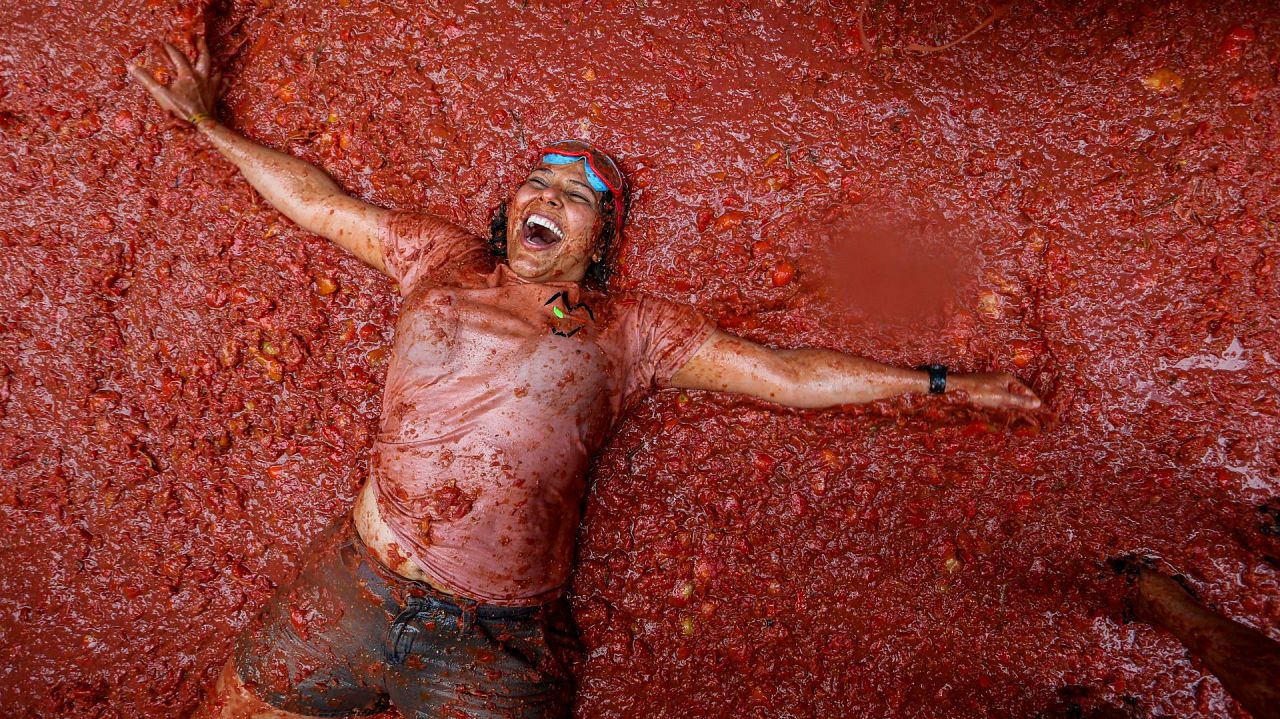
[{"x": 554, "y": 225}]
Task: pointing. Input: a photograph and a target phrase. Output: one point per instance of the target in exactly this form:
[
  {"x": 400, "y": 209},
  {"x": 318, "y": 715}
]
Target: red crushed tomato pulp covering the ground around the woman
[{"x": 190, "y": 384}]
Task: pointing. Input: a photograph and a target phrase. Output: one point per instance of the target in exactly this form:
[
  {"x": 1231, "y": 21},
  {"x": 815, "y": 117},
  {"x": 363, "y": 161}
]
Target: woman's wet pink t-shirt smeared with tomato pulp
[{"x": 499, "y": 393}]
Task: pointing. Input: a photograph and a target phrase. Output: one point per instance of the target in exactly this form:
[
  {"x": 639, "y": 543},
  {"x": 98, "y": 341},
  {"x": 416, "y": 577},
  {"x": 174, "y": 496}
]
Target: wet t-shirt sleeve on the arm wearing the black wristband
[{"x": 664, "y": 337}]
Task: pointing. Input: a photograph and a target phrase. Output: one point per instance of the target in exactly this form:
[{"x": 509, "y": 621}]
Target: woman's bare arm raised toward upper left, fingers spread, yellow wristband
[{"x": 300, "y": 191}]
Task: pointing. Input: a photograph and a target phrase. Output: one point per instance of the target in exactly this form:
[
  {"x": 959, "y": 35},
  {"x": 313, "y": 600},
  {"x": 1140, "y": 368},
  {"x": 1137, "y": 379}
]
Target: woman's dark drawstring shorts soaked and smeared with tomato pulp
[{"x": 350, "y": 638}]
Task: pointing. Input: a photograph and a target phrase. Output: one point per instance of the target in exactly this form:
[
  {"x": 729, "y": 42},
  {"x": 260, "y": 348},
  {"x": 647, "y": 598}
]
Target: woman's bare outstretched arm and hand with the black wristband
[{"x": 821, "y": 378}]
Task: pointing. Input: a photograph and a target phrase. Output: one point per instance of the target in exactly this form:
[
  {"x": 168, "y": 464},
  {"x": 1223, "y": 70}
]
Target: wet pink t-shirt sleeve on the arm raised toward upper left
[{"x": 419, "y": 248}]
